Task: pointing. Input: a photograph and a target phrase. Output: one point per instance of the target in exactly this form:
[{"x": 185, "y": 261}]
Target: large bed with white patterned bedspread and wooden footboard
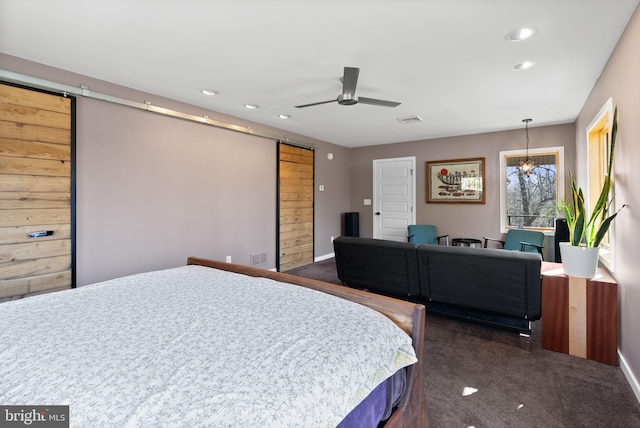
[{"x": 216, "y": 344}]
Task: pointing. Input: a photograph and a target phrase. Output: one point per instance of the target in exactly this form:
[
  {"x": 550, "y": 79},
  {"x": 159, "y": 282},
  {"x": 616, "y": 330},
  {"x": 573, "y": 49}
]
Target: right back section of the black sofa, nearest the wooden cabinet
[{"x": 500, "y": 281}]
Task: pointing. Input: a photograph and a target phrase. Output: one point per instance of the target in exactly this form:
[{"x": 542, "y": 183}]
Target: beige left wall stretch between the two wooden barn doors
[{"x": 152, "y": 189}]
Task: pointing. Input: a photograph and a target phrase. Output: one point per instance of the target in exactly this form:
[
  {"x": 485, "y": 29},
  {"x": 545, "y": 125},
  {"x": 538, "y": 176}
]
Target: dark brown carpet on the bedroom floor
[{"x": 477, "y": 376}]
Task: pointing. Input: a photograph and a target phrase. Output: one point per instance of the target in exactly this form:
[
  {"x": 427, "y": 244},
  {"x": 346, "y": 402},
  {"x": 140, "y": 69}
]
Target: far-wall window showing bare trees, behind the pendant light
[{"x": 530, "y": 201}]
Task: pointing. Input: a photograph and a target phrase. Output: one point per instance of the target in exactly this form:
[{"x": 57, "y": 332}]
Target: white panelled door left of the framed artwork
[{"x": 394, "y": 196}]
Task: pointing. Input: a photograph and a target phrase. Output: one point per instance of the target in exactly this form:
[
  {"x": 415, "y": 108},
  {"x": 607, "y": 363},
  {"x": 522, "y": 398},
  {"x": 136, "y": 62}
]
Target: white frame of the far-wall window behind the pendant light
[{"x": 560, "y": 182}]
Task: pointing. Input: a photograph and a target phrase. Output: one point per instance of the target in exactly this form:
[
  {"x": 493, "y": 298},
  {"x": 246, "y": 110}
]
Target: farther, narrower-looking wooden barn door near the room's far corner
[{"x": 295, "y": 227}]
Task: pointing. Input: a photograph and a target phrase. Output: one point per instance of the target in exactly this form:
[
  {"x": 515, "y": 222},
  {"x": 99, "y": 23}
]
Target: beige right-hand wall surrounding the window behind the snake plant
[{"x": 620, "y": 81}]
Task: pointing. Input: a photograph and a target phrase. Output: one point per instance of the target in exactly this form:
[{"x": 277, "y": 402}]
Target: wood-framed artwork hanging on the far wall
[{"x": 456, "y": 181}]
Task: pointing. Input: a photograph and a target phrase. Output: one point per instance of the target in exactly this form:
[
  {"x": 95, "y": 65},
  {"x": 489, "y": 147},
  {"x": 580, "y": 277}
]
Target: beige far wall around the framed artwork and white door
[{"x": 457, "y": 220}]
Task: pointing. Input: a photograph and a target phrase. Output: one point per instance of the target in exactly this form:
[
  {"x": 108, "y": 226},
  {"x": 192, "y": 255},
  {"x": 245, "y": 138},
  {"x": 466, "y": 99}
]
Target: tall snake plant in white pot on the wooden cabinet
[{"x": 586, "y": 230}]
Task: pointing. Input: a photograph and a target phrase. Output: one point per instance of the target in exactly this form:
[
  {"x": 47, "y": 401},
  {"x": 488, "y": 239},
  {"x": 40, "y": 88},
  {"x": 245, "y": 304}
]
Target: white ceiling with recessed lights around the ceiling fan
[{"x": 446, "y": 61}]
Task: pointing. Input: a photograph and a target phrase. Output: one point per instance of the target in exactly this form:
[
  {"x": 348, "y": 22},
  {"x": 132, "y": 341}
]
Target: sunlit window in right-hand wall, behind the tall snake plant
[{"x": 598, "y": 156}]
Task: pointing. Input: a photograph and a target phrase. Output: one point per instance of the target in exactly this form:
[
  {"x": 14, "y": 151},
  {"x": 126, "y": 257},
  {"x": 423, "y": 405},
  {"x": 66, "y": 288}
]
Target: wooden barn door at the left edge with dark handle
[{"x": 35, "y": 192}]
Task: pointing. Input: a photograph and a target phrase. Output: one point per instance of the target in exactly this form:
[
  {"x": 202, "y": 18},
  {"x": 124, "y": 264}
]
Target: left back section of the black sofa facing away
[{"x": 382, "y": 266}]
